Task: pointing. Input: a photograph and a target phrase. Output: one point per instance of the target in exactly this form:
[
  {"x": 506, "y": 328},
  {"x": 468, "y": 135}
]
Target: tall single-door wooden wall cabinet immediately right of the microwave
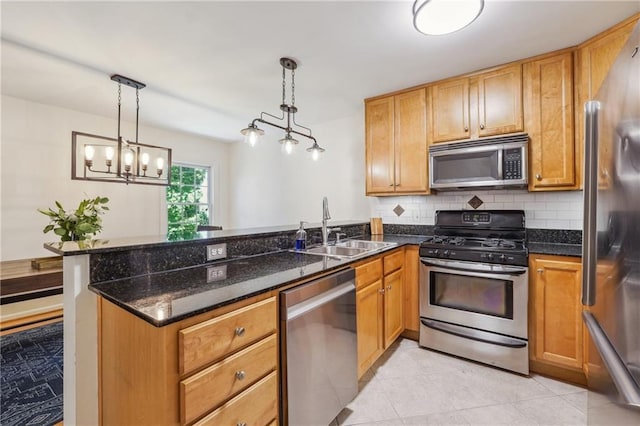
[{"x": 548, "y": 104}]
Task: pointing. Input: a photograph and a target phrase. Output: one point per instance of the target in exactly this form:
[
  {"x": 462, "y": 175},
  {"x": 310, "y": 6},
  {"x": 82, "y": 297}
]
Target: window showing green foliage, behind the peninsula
[{"x": 188, "y": 200}]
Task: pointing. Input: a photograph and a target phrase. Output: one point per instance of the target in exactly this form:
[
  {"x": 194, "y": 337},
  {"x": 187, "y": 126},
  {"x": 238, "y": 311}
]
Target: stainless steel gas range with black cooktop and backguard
[{"x": 474, "y": 287}]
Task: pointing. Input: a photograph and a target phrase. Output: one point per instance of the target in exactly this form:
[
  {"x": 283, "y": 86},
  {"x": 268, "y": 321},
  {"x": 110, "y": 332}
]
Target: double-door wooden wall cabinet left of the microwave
[{"x": 396, "y": 144}]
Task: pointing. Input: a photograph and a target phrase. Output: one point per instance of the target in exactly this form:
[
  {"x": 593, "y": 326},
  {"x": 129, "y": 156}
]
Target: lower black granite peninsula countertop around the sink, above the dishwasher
[{"x": 162, "y": 298}]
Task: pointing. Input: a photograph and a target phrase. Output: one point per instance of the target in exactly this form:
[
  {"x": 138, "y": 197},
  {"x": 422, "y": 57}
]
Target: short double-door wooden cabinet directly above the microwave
[{"x": 485, "y": 104}]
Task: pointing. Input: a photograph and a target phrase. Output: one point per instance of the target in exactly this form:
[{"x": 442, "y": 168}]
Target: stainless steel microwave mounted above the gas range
[{"x": 485, "y": 163}]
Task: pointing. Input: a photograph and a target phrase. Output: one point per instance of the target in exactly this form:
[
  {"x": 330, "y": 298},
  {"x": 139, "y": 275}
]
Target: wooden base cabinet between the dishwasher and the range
[{"x": 379, "y": 306}]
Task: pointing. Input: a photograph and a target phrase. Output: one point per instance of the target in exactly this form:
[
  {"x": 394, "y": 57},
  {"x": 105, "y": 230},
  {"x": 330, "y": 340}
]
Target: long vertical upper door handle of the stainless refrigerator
[{"x": 589, "y": 243}]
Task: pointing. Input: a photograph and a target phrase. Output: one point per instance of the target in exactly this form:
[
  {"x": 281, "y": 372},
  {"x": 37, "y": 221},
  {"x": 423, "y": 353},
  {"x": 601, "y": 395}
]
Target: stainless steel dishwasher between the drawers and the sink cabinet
[{"x": 319, "y": 349}]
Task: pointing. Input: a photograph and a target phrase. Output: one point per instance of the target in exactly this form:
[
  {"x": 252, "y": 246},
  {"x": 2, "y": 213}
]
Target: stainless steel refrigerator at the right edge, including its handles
[{"x": 611, "y": 242}]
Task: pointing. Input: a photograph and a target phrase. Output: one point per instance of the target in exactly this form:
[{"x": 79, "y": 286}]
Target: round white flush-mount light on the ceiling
[{"x": 438, "y": 17}]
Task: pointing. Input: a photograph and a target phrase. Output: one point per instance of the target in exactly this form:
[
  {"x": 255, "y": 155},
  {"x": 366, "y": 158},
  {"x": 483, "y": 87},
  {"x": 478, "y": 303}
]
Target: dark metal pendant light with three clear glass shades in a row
[{"x": 287, "y": 120}]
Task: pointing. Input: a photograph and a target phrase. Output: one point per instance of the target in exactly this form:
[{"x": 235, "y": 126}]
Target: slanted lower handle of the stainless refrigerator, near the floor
[{"x": 622, "y": 379}]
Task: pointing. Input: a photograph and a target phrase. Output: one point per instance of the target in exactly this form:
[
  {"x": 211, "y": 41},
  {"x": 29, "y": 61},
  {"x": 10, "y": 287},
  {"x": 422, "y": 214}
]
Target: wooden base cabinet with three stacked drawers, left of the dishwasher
[{"x": 215, "y": 368}]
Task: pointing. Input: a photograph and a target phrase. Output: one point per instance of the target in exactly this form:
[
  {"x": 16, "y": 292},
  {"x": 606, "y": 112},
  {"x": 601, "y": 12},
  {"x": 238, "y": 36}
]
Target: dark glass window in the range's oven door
[{"x": 473, "y": 294}]
